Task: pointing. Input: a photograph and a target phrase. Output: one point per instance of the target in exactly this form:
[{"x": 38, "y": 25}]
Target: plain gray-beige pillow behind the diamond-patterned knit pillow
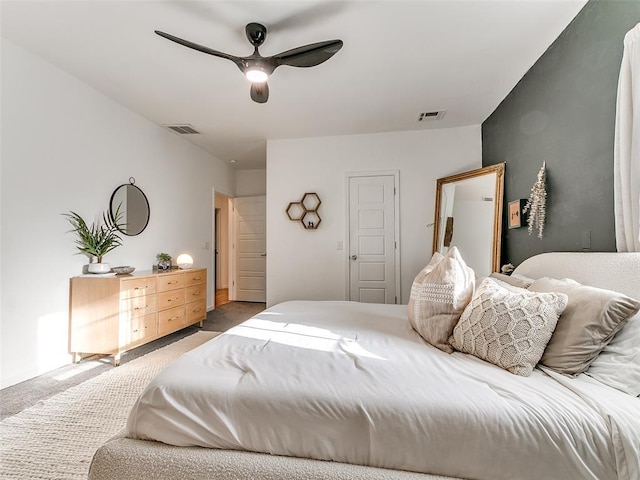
[{"x": 591, "y": 319}]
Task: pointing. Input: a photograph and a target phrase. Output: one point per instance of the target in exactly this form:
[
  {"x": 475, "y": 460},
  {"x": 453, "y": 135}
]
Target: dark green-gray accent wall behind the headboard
[{"x": 563, "y": 112}]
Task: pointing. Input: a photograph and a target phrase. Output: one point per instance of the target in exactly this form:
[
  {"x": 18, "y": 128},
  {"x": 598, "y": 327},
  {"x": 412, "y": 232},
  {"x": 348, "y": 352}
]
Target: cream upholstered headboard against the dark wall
[{"x": 614, "y": 271}]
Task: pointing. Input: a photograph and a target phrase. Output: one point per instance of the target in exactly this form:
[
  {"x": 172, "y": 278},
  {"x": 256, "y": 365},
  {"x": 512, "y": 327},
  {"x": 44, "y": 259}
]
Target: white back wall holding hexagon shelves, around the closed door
[{"x": 305, "y": 264}]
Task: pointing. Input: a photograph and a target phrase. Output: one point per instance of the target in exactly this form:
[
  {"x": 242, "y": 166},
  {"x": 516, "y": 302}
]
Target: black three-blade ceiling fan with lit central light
[{"x": 258, "y": 68}]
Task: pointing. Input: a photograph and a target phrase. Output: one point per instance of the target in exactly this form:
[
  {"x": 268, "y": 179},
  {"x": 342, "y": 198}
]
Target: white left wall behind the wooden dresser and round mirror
[{"x": 66, "y": 146}]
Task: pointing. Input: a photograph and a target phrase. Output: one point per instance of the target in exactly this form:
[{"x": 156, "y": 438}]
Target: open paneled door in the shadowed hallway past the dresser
[{"x": 250, "y": 249}]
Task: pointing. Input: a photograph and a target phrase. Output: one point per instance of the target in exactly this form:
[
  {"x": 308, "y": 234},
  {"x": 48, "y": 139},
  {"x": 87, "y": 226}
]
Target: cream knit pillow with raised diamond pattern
[{"x": 508, "y": 326}]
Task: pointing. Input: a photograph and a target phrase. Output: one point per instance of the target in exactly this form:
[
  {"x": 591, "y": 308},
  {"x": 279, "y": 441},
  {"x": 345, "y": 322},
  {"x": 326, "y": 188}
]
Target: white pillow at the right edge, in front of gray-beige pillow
[{"x": 618, "y": 365}]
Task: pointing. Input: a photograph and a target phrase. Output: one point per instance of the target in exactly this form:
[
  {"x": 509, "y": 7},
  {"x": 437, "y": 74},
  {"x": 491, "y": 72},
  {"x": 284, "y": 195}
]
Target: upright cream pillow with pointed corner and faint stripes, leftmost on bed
[{"x": 438, "y": 297}]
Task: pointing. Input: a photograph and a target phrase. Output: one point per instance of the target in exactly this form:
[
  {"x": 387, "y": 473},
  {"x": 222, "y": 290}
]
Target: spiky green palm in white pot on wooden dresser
[{"x": 96, "y": 240}]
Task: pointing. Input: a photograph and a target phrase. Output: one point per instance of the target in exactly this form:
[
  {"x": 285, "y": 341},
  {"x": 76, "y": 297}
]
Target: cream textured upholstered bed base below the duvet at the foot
[{"x": 127, "y": 459}]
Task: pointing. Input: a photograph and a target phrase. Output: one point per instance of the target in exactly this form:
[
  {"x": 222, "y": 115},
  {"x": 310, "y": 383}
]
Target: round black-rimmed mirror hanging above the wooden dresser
[{"x": 133, "y": 206}]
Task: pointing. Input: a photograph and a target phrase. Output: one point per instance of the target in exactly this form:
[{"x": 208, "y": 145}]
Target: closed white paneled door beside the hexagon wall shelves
[{"x": 372, "y": 242}]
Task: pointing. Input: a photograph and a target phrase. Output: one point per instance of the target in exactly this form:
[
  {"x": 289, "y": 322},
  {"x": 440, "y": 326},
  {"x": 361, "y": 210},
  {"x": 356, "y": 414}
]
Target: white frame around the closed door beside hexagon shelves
[{"x": 396, "y": 227}]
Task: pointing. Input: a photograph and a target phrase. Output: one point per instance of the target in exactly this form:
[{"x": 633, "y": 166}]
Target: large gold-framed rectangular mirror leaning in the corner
[{"x": 469, "y": 216}]
